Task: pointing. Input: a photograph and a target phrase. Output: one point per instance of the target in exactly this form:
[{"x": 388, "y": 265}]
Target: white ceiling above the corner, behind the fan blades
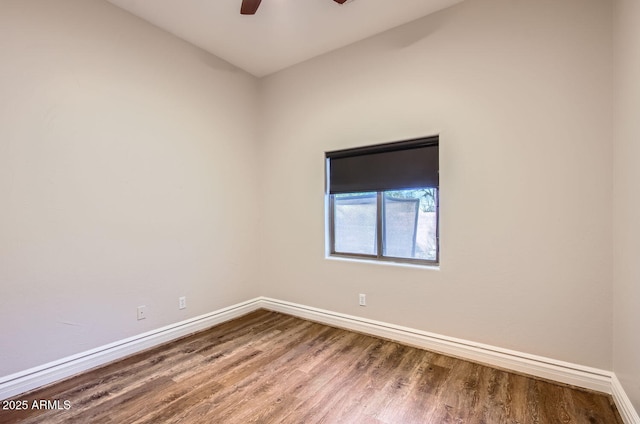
[{"x": 282, "y": 32}]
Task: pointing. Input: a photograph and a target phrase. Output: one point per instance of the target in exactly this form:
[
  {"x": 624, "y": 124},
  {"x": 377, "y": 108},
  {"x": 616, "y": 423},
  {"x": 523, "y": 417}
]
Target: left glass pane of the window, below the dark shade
[{"x": 355, "y": 223}]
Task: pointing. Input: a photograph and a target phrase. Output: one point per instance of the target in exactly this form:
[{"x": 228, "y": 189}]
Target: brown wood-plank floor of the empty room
[{"x": 267, "y": 367}]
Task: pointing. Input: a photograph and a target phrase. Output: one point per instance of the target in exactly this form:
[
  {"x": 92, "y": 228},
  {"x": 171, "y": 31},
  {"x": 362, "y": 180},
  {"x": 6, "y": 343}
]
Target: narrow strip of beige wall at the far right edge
[{"x": 626, "y": 307}]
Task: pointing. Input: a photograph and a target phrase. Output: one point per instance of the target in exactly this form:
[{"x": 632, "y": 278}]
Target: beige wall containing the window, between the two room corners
[{"x": 520, "y": 93}]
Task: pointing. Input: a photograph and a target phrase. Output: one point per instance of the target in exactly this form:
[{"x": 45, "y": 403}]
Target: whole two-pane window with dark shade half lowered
[{"x": 383, "y": 201}]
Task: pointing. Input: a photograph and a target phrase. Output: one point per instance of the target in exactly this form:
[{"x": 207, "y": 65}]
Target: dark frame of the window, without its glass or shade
[{"x": 379, "y": 256}]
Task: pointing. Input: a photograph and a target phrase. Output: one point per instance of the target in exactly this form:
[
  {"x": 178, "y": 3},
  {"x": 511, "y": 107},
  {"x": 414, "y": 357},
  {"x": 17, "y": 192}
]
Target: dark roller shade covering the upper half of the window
[{"x": 392, "y": 166}]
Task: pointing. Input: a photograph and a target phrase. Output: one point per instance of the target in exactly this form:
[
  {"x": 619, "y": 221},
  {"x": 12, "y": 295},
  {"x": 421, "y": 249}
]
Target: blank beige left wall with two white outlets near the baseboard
[{"x": 127, "y": 170}]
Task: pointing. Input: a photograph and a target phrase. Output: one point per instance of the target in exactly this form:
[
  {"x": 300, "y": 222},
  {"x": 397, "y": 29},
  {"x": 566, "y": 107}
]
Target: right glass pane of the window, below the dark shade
[{"x": 410, "y": 224}]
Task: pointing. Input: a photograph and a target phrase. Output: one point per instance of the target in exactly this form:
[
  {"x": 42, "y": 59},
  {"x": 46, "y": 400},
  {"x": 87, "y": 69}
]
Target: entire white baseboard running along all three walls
[{"x": 551, "y": 369}]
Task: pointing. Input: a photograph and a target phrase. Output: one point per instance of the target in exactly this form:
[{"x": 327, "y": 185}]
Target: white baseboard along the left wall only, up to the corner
[{"x": 33, "y": 378}]
